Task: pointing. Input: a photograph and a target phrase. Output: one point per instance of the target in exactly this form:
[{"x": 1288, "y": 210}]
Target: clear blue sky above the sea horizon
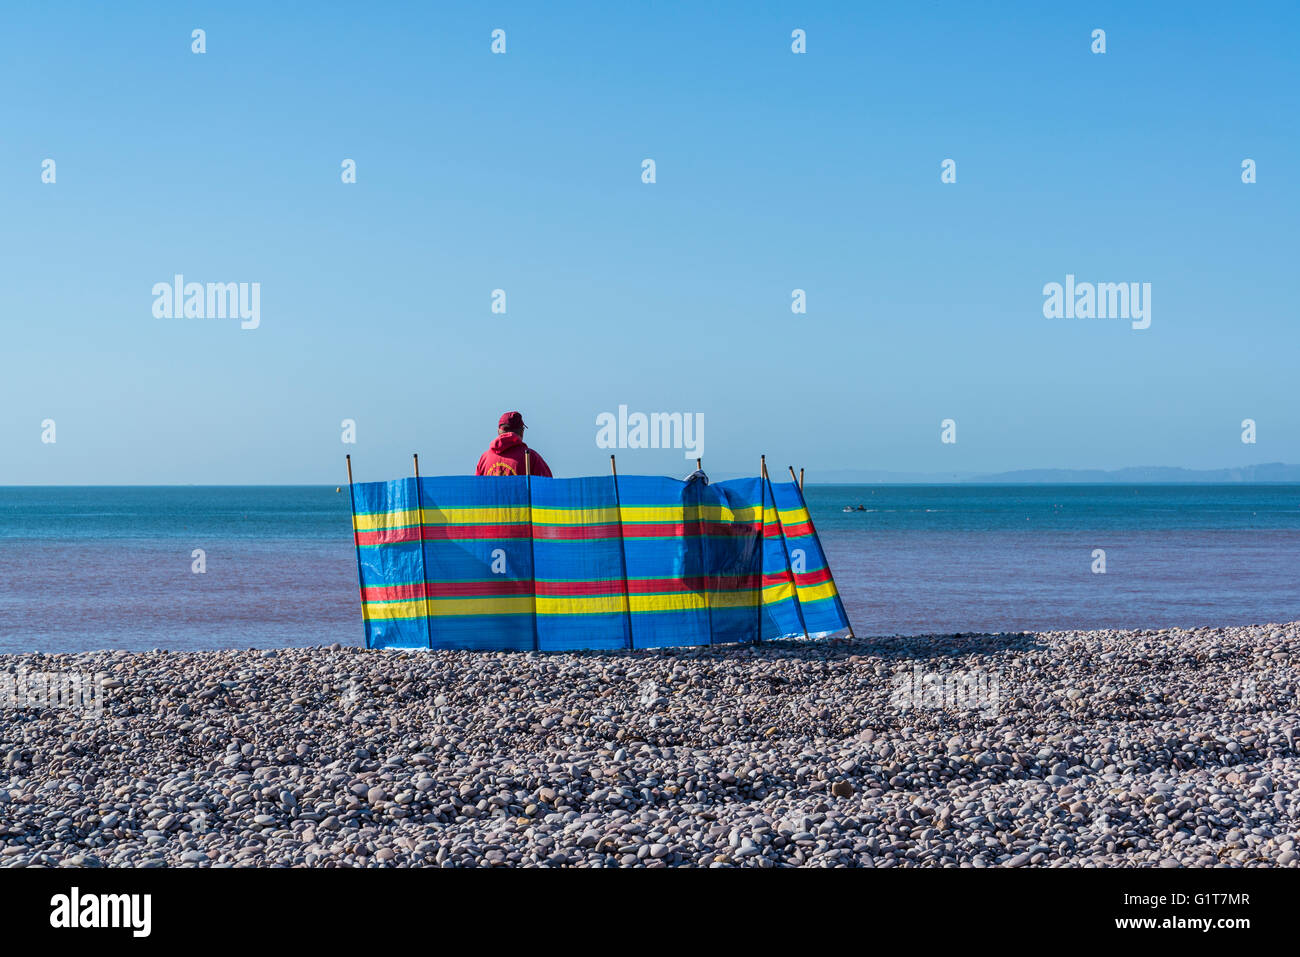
[{"x": 523, "y": 172}]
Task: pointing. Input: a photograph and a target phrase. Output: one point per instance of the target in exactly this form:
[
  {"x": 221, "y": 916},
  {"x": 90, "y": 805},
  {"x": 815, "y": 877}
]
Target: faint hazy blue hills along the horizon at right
[{"x": 1141, "y": 475}]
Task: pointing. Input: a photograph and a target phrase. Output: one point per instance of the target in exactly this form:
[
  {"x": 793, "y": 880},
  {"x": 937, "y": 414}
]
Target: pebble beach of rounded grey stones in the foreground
[{"x": 1065, "y": 750}]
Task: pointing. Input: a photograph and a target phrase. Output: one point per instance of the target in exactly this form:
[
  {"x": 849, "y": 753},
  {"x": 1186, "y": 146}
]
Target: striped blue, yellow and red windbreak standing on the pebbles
[{"x": 517, "y": 564}]
